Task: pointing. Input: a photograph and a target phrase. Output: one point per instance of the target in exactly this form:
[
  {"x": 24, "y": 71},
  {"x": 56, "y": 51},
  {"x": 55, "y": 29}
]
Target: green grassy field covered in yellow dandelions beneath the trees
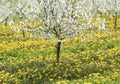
[{"x": 84, "y": 60}]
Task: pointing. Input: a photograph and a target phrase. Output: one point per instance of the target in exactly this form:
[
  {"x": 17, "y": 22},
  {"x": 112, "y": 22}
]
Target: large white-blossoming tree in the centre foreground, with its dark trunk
[{"x": 58, "y": 20}]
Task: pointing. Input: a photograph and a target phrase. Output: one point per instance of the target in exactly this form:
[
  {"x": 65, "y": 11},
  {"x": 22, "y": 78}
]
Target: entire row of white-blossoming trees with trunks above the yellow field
[{"x": 58, "y": 18}]
